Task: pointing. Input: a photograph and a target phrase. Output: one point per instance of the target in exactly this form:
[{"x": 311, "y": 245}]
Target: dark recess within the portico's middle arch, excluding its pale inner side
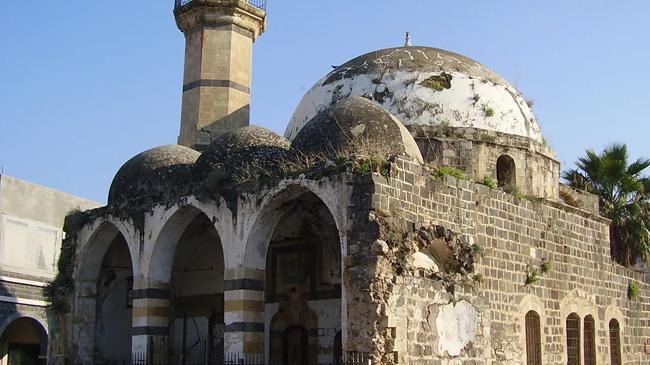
[{"x": 196, "y": 281}]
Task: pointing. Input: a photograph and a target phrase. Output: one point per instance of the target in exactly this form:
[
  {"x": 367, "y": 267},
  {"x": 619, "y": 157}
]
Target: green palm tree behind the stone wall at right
[{"x": 623, "y": 196}]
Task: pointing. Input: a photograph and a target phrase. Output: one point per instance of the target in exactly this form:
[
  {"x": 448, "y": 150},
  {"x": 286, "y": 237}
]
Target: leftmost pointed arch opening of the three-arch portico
[{"x": 104, "y": 288}]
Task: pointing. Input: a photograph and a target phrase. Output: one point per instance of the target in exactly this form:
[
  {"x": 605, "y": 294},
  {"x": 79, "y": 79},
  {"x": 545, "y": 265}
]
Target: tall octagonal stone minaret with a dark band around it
[{"x": 219, "y": 36}]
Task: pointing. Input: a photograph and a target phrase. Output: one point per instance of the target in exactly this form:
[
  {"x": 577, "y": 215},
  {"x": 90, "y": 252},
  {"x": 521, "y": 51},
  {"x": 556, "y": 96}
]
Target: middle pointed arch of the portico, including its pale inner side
[{"x": 187, "y": 261}]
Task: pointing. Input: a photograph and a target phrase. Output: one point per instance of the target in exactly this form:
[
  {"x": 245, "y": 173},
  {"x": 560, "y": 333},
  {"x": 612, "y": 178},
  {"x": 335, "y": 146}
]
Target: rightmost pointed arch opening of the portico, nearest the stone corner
[{"x": 295, "y": 244}]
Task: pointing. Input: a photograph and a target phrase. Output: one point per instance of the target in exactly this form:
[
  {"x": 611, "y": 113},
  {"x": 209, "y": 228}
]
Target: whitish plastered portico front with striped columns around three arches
[{"x": 244, "y": 224}]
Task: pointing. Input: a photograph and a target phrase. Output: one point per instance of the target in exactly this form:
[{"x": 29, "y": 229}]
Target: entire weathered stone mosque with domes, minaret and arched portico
[{"x": 412, "y": 213}]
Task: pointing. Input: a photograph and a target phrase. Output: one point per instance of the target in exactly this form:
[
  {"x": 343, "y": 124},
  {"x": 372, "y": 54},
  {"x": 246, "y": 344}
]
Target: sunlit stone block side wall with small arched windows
[{"x": 515, "y": 236}]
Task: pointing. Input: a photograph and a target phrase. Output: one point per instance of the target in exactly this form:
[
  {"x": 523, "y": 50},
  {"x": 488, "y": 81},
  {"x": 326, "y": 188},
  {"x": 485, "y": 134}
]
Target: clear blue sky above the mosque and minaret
[{"x": 85, "y": 85}]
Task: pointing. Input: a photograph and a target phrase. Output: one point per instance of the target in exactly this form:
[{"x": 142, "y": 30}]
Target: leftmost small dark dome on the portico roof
[{"x": 151, "y": 173}]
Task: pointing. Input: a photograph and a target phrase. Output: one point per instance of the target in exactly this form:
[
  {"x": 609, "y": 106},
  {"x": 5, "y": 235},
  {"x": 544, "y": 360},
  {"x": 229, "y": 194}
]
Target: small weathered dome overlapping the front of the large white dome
[{"x": 355, "y": 124}]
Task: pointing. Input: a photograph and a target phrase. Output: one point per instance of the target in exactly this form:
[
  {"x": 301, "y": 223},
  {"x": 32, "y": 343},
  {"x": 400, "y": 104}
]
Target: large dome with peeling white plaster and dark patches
[{"x": 424, "y": 86}]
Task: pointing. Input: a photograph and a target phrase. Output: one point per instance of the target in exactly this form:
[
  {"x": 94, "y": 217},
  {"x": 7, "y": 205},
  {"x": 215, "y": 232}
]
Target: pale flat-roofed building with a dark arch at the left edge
[{"x": 31, "y": 232}]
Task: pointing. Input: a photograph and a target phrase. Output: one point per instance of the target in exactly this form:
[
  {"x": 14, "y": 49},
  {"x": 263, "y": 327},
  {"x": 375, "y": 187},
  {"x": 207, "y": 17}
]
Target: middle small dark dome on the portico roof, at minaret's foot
[{"x": 241, "y": 148}]
